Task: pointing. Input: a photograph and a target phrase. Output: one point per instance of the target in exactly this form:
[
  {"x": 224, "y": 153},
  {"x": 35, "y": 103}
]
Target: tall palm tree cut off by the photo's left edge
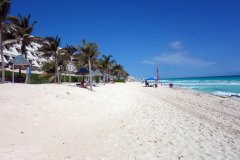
[{"x": 5, "y": 6}]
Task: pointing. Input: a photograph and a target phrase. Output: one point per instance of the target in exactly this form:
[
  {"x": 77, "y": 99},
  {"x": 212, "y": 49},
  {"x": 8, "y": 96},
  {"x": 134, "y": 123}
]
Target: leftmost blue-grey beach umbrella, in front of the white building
[{"x": 18, "y": 62}]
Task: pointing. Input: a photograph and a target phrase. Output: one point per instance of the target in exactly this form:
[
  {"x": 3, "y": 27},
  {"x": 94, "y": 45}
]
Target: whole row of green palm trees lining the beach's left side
[{"x": 18, "y": 30}]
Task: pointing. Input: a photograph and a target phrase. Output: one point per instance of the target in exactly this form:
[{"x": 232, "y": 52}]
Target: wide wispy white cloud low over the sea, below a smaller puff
[{"x": 181, "y": 58}]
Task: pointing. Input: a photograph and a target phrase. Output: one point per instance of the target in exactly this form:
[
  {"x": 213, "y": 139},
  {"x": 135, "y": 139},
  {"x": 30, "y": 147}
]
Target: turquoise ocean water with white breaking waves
[{"x": 227, "y": 86}]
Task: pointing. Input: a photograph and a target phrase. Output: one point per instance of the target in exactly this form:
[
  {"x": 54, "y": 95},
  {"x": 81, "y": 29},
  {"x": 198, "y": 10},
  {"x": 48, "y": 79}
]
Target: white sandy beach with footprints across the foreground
[{"x": 120, "y": 121}]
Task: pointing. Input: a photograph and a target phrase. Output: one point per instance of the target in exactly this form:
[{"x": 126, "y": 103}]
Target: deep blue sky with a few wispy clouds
[{"x": 182, "y": 38}]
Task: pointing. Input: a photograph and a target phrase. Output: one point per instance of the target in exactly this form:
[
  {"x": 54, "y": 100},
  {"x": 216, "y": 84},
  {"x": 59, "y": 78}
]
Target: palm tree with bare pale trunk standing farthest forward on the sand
[{"x": 89, "y": 52}]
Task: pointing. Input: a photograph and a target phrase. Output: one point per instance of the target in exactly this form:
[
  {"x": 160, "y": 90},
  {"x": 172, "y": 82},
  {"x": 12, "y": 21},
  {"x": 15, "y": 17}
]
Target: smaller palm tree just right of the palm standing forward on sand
[{"x": 106, "y": 63}]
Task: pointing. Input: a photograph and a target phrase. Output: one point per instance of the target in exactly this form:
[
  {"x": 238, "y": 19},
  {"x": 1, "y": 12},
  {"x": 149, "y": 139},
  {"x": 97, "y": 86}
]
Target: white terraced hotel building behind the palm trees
[{"x": 33, "y": 56}]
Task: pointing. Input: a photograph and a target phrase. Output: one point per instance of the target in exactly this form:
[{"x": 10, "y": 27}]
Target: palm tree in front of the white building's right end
[{"x": 51, "y": 47}]
